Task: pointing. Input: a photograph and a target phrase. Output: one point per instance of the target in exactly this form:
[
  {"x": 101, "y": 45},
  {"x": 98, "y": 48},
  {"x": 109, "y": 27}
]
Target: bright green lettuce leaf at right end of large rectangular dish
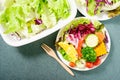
[{"x": 60, "y": 7}]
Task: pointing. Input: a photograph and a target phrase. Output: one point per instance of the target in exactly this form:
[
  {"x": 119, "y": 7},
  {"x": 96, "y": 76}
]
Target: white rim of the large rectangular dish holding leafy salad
[{"x": 12, "y": 42}]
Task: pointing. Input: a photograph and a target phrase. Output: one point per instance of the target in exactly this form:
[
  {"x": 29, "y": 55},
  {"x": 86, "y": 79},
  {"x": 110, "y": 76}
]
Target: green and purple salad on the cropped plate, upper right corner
[{"x": 95, "y": 7}]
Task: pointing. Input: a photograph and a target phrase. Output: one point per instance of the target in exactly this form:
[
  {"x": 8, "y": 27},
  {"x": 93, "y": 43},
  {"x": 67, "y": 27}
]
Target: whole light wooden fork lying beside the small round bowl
[{"x": 51, "y": 53}]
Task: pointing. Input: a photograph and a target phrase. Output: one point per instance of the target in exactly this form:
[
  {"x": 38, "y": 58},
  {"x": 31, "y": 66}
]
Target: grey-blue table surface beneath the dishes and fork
[{"x": 30, "y": 62}]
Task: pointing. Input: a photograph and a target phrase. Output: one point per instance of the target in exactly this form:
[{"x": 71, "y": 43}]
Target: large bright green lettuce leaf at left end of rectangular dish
[{"x": 13, "y": 19}]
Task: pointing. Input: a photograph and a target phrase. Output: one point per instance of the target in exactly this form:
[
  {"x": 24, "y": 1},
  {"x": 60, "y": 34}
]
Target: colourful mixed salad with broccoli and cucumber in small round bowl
[{"x": 82, "y": 43}]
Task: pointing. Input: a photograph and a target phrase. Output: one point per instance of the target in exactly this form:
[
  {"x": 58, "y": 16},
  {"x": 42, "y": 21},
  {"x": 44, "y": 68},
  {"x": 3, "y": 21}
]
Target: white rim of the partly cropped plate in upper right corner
[{"x": 101, "y": 16}]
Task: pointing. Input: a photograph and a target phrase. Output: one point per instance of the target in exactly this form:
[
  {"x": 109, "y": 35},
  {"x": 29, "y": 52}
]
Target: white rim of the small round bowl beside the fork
[{"x": 103, "y": 58}]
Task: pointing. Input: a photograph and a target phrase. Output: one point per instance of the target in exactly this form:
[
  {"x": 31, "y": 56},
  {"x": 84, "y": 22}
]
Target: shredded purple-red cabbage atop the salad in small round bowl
[{"x": 75, "y": 34}]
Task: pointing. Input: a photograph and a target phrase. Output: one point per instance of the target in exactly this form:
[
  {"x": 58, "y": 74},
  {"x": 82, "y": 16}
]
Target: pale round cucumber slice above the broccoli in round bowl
[{"x": 92, "y": 40}]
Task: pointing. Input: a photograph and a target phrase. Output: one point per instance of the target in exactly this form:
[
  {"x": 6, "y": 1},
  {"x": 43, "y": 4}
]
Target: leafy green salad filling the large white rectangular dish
[{"x": 26, "y": 18}]
